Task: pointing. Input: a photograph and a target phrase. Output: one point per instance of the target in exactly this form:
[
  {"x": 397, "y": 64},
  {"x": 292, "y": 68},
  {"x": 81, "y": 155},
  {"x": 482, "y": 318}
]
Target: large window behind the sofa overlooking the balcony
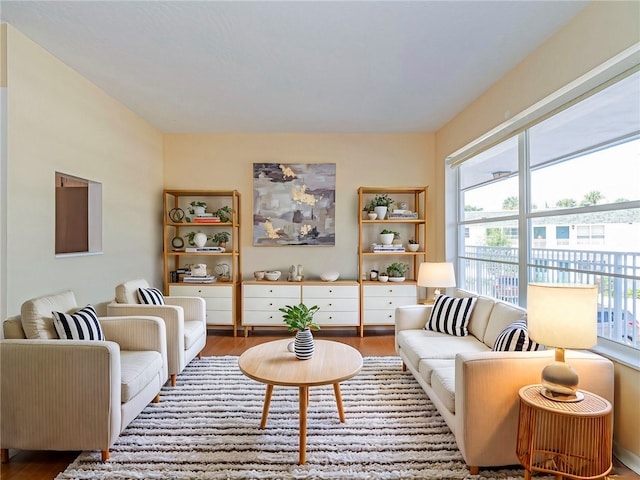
[{"x": 559, "y": 202}]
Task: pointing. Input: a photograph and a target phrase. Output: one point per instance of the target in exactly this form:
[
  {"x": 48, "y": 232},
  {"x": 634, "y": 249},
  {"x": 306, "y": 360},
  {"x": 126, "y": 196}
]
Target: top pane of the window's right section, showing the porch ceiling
[{"x": 610, "y": 114}]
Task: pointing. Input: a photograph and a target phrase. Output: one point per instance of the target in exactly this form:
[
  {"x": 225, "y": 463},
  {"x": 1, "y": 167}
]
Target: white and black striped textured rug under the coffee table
[{"x": 207, "y": 427}]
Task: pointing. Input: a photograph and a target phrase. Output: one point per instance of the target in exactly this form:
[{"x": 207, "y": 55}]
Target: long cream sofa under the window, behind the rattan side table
[{"x": 474, "y": 388}]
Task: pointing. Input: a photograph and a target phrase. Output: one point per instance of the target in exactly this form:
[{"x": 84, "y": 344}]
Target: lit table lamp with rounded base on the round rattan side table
[{"x": 562, "y": 316}]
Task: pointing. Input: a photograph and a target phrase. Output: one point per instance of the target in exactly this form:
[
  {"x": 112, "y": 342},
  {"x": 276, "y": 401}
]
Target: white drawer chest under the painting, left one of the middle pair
[{"x": 261, "y": 302}]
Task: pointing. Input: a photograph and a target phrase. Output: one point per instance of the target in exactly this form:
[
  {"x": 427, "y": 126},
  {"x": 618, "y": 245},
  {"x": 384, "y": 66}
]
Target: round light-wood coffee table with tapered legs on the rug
[{"x": 273, "y": 364}]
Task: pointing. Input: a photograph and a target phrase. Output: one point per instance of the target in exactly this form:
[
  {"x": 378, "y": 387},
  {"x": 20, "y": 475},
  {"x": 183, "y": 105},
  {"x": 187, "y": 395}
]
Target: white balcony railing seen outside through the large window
[{"x": 493, "y": 271}]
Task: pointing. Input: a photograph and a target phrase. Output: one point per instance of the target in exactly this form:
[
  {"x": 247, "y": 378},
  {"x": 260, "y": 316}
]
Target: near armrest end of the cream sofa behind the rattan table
[{"x": 487, "y": 402}]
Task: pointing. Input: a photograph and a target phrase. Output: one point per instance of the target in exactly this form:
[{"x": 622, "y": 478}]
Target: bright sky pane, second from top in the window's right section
[{"x": 610, "y": 175}]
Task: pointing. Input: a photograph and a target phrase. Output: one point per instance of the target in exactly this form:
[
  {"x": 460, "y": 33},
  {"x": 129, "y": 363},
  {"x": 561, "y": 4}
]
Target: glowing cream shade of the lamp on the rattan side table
[{"x": 563, "y": 316}]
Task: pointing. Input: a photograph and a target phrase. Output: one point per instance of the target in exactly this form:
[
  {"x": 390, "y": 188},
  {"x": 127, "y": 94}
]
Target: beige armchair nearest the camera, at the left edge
[{"x": 75, "y": 394}]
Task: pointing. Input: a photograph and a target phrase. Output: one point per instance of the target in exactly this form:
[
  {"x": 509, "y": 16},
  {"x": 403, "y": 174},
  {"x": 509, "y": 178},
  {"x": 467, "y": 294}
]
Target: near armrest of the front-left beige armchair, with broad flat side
[{"x": 46, "y": 382}]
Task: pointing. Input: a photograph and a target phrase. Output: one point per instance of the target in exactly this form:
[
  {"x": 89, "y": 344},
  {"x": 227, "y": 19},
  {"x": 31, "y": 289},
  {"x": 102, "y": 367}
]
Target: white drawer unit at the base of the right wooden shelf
[{"x": 381, "y": 300}]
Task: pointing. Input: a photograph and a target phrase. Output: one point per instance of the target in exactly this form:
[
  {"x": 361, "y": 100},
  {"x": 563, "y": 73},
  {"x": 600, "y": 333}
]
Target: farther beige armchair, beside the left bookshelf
[{"x": 185, "y": 319}]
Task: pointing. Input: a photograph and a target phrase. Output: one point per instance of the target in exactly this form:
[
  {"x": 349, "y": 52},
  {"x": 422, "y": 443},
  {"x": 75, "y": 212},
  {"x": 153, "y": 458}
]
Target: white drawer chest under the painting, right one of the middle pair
[{"x": 339, "y": 304}]
